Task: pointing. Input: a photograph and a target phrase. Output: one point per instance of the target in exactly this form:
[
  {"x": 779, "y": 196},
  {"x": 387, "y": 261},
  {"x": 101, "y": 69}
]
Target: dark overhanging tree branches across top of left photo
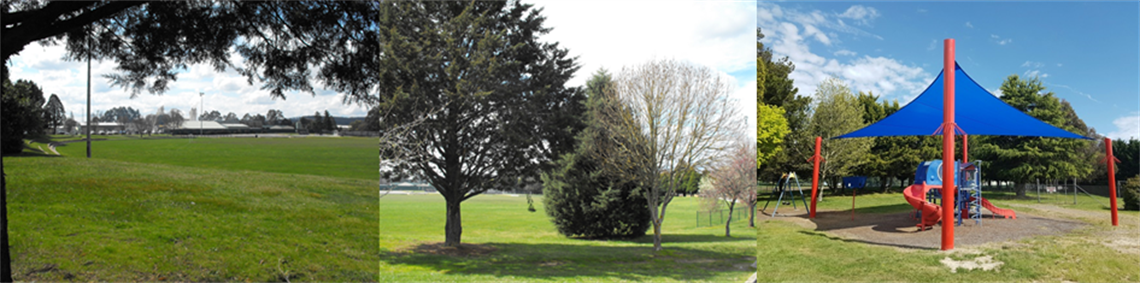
[{"x": 286, "y": 45}]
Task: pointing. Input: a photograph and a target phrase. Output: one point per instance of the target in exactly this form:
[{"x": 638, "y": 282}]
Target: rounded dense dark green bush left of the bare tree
[{"x": 587, "y": 204}]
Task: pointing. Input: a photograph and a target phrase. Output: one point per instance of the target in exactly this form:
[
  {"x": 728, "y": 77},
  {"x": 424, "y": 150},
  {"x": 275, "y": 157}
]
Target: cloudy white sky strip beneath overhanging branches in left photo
[{"x": 226, "y": 92}]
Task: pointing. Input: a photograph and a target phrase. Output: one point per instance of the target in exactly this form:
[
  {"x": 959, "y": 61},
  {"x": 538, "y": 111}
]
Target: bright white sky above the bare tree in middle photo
[{"x": 615, "y": 35}]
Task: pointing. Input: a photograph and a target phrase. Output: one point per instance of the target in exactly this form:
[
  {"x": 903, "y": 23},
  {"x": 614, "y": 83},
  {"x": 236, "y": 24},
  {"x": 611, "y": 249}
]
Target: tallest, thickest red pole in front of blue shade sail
[{"x": 948, "y": 147}]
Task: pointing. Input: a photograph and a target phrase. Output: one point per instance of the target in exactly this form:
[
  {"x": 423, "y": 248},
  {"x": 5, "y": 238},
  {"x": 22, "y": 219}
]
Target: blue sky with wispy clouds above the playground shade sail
[{"x": 1085, "y": 53}]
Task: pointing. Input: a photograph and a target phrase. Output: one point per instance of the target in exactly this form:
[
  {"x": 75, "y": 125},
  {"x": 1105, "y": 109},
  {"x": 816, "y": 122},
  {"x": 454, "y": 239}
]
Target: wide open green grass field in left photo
[{"x": 123, "y": 219}]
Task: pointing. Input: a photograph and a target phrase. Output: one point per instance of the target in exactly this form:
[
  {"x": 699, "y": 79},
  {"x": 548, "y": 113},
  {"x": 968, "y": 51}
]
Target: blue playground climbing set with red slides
[{"x": 929, "y": 189}]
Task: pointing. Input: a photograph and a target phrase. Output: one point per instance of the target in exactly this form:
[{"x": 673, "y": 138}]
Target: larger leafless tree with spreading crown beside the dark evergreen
[{"x": 675, "y": 117}]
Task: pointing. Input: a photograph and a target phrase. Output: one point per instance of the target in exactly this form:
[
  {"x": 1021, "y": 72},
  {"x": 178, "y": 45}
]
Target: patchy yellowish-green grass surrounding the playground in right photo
[{"x": 789, "y": 253}]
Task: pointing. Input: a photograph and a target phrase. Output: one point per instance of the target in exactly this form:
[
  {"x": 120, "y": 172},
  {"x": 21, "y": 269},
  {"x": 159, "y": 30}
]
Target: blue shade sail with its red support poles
[{"x": 921, "y": 117}]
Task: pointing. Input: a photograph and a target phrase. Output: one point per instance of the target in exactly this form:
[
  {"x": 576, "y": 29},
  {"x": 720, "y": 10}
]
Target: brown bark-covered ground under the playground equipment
[{"x": 900, "y": 230}]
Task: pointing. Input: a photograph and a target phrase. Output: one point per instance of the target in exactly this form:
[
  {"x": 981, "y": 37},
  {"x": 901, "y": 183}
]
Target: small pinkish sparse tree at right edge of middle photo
[{"x": 735, "y": 181}]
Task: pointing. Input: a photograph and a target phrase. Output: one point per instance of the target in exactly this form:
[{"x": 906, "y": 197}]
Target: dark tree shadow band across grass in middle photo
[{"x": 587, "y": 261}]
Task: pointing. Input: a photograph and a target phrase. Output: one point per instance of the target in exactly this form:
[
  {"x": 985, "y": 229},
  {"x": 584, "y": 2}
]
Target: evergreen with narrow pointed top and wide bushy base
[{"x": 581, "y": 198}]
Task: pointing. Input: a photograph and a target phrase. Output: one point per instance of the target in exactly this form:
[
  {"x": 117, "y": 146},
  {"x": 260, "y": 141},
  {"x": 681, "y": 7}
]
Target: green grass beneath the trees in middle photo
[{"x": 526, "y": 247}]
